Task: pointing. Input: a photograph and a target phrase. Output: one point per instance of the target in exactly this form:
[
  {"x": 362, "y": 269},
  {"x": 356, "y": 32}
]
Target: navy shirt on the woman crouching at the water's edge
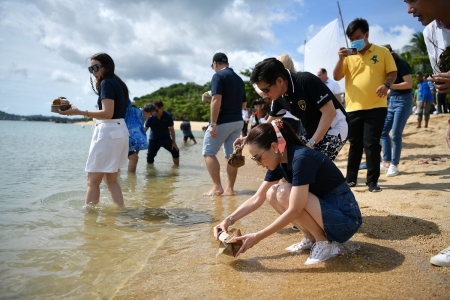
[{"x": 308, "y": 166}]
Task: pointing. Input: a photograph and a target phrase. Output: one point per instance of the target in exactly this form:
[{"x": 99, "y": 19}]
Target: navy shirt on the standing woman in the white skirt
[{"x": 112, "y": 89}]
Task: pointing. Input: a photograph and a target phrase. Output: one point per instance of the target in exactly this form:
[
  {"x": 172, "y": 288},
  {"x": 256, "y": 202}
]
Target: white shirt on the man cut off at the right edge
[{"x": 437, "y": 39}]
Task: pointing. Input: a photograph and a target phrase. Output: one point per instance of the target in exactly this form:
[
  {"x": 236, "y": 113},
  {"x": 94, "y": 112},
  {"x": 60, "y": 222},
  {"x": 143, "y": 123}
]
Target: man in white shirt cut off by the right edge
[{"x": 434, "y": 14}]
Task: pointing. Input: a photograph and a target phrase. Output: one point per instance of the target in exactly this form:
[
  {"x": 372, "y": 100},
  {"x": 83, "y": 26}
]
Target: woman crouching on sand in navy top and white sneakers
[{"x": 315, "y": 198}]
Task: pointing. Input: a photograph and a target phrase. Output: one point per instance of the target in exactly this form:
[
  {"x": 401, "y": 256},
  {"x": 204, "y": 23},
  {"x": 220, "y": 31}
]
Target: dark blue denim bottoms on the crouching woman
[{"x": 340, "y": 214}]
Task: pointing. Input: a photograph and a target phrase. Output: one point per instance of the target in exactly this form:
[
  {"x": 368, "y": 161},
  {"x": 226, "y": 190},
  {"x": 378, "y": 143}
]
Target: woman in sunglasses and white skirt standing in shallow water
[{"x": 109, "y": 145}]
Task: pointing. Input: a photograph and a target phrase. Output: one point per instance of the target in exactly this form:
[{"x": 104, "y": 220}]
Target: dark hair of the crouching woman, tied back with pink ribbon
[{"x": 264, "y": 135}]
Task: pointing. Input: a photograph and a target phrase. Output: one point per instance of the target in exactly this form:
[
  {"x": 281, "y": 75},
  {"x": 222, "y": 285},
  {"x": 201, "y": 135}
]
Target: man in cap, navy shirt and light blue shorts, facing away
[{"x": 228, "y": 100}]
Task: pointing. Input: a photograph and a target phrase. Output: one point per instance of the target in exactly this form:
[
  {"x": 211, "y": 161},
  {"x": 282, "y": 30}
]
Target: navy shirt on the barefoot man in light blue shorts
[{"x": 231, "y": 86}]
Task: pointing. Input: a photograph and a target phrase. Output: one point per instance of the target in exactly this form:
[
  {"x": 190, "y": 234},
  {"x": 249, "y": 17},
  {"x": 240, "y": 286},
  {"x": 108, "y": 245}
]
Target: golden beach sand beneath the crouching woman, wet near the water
[{"x": 404, "y": 225}]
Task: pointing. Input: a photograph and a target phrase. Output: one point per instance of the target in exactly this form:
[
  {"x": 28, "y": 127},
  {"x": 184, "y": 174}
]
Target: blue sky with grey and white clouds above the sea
[{"x": 45, "y": 44}]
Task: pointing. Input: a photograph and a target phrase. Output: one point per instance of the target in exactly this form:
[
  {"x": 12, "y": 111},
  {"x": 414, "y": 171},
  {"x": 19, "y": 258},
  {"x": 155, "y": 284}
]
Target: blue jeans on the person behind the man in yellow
[{"x": 399, "y": 111}]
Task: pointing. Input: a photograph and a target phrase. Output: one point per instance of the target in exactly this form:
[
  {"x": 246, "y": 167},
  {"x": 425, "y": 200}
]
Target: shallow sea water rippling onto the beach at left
[{"x": 53, "y": 248}]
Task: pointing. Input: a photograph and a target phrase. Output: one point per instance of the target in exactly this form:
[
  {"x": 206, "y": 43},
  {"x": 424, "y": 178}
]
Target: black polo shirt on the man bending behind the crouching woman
[{"x": 305, "y": 96}]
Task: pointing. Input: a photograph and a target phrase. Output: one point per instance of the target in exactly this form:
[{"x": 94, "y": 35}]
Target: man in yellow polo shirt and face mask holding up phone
[{"x": 368, "y": 77}]
